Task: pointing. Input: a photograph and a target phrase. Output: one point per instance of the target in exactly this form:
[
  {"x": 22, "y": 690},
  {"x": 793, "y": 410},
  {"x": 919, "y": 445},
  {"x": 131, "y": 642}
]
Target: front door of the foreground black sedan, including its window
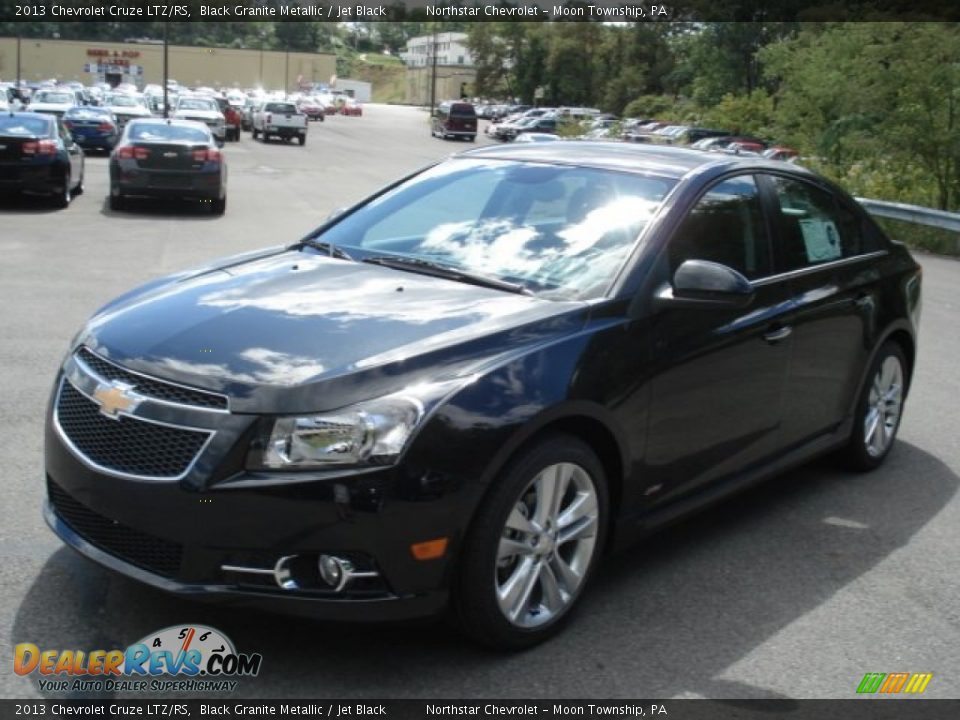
[{"x": 719, "y": 372}]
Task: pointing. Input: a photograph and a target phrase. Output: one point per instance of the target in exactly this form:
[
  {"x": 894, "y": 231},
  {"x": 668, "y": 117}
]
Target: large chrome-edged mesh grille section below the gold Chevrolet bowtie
[{"x": 125, "y": 445}]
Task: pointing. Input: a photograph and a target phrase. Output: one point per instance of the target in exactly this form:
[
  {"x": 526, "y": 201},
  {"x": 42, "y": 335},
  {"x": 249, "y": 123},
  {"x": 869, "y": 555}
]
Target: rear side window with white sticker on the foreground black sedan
[{"x": 816, "y": 229}]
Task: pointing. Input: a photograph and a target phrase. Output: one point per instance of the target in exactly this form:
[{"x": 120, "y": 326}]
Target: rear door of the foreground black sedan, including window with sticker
[{"x": 822, "y": 247}]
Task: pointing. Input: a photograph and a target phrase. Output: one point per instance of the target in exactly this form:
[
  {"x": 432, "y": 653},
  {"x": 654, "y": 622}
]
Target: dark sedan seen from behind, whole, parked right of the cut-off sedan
[{"x": 168, "y": 159}]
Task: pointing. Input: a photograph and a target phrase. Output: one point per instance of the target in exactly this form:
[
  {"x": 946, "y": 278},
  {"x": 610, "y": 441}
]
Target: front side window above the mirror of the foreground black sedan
[{"x": 725, "y": 226}]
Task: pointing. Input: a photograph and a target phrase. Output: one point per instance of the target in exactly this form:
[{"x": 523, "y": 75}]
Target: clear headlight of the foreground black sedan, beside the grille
[{"x": 370, "y": 433}]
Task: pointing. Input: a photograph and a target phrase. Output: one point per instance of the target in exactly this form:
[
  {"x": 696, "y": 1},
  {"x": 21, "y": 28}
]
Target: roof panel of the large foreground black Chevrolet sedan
[{"x": 664, "y": 160}]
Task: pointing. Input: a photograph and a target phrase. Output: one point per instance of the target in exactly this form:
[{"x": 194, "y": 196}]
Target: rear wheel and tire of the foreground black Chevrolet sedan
[{"x": 880, "y": 407}]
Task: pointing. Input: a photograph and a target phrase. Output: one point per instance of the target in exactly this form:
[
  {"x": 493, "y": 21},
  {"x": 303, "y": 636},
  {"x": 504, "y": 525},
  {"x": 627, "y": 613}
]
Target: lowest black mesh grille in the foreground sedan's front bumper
[{"x": 138, "y": 548}]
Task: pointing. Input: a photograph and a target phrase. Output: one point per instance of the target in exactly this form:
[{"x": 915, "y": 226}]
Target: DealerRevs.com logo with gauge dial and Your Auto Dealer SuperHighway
[{"x": 187, "y": 658}]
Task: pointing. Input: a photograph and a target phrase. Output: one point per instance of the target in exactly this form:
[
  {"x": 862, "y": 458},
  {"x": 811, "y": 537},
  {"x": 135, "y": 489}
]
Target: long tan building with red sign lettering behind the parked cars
[{"x": 142, "y": 64}]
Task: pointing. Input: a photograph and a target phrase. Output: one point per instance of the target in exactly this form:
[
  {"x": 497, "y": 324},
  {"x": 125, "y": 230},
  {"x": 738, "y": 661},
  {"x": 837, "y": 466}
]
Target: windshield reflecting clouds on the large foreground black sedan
[{"x": 561, "y": 232}]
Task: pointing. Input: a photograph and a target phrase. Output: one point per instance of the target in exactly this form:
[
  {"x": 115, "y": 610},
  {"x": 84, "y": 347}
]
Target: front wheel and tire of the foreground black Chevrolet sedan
[{"x": 508, "y": 522}]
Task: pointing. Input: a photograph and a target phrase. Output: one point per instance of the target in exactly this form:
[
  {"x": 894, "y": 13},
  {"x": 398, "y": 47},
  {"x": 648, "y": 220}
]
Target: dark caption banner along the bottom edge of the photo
[{"x": 857, "y": 709}]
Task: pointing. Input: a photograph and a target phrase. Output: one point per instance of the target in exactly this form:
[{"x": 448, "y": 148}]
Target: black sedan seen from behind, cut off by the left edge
[{"x": 38, "y": 155}]
